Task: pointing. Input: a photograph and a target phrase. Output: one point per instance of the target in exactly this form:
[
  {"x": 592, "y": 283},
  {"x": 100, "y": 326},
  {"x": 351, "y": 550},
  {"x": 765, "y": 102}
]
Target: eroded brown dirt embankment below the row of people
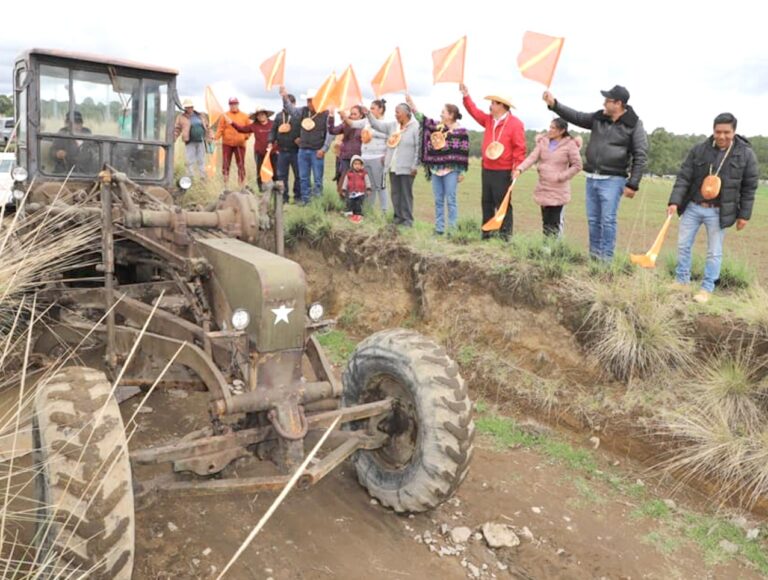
[{"x": 516, "y": 334}]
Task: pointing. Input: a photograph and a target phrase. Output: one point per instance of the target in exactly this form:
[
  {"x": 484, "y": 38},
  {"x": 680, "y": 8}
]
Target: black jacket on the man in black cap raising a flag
[{"x": 615, "y": 148}]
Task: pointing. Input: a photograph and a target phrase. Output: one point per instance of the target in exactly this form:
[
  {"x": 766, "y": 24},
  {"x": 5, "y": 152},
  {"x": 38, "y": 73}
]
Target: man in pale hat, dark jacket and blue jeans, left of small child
[{"x": 313, "y": 143}]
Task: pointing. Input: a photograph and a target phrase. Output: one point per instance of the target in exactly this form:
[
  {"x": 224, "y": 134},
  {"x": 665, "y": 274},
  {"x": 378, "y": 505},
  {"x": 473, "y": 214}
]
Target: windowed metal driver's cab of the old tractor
[{"x": 78, "y": 112}]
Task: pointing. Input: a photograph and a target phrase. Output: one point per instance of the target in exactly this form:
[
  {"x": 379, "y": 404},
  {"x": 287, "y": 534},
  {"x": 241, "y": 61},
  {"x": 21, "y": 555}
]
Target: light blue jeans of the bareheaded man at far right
[{"x": 694, "y": 217}]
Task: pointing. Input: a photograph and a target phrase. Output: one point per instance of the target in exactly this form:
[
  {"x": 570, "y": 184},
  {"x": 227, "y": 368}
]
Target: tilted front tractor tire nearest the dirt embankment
[{"x": 431, "y": 429}]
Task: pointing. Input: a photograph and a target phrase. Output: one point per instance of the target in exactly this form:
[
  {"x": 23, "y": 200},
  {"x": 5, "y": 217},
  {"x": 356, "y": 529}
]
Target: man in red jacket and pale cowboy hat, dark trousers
[{"x": 503, "y": 151}]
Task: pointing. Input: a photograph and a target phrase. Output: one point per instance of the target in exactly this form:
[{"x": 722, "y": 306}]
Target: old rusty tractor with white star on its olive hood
[{"x": 193, "y": 287}]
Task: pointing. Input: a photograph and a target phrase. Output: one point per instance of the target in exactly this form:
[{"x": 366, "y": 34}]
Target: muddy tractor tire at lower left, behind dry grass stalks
[{"x": 85, "y": 517}]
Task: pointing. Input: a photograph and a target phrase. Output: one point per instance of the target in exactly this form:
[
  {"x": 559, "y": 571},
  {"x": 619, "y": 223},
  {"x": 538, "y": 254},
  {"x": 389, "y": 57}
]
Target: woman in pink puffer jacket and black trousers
[{"x": 557, "y": 154}]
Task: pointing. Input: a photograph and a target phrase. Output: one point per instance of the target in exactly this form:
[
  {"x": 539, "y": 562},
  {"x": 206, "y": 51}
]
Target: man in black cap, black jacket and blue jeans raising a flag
[{"x": 616, "y": 158}]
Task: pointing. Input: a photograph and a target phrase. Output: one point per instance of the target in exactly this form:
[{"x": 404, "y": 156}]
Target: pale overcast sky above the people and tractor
[{"x": 683, "y": 62}]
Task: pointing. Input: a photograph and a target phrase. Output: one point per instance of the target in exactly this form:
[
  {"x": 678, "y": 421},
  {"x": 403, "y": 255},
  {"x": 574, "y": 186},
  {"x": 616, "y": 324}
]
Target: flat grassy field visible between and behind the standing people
[{"x": 639, "y": 218}]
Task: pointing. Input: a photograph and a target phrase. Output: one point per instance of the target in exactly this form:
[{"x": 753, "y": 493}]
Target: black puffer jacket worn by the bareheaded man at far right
[{"x": 739, "y": 177}]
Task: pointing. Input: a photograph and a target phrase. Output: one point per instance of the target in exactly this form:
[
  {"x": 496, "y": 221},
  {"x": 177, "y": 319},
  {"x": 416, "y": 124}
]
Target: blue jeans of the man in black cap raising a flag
[{"x": 603, "y": 196}]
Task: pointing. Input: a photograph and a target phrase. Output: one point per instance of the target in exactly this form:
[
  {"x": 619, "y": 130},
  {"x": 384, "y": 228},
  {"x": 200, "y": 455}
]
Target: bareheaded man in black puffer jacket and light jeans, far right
[{"x": 715, "y": 188}]
